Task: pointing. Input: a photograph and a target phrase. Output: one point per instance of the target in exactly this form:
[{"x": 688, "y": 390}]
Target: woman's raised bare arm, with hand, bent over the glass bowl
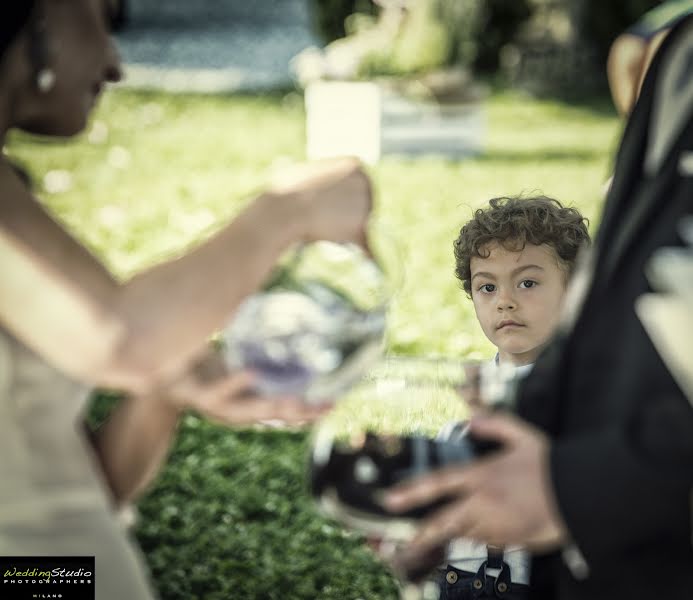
[{"x": 62, "y": 303}]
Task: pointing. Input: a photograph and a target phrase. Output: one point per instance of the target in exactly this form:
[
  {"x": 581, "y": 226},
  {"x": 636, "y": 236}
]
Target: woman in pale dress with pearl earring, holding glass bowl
[{"x": 66, "y": 325}]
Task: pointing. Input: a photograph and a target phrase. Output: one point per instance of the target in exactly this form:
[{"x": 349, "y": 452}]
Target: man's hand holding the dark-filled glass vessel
[{"x": 505, "y": 498}]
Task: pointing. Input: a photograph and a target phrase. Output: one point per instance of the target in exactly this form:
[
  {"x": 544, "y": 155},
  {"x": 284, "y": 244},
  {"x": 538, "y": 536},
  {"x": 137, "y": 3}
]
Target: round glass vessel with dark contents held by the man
[{"x": 349, "y": 471}]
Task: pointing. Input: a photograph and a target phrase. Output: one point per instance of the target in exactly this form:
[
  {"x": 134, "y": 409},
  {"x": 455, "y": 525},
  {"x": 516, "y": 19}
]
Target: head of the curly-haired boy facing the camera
[{"x": 514, "y": 259}]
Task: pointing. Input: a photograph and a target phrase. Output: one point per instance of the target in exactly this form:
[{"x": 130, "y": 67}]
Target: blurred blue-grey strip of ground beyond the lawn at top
[{"x": 214, "y": 45}]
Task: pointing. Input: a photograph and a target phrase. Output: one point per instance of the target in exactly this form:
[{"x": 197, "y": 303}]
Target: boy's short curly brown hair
[{"x": 514, "y": 222}]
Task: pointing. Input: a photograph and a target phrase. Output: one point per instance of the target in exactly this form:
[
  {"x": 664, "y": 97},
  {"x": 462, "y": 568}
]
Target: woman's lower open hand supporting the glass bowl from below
[{"x": 230, "y": 399}]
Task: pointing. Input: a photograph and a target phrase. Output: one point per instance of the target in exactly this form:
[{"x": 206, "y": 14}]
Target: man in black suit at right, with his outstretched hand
[{"x": 597, "y": 470}]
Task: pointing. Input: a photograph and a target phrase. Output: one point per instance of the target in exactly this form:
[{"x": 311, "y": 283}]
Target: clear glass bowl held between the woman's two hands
[{"x": 317, "y": 325}]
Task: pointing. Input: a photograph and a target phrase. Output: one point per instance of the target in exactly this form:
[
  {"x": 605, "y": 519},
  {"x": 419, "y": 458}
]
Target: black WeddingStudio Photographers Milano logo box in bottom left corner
[{"x": 38, "y": 577}]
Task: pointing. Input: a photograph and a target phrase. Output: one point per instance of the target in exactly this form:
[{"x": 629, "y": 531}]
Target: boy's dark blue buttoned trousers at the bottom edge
[{"x": 456, "y": 584}]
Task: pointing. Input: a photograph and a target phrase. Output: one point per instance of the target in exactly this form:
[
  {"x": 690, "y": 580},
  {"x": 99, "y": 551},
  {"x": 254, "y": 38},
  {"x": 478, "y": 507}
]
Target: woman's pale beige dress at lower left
[{"x": 53, "y": 499}]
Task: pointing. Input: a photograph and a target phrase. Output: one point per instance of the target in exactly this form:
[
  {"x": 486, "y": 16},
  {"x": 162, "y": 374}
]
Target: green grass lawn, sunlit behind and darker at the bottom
[{"x": 229, "y": 516}]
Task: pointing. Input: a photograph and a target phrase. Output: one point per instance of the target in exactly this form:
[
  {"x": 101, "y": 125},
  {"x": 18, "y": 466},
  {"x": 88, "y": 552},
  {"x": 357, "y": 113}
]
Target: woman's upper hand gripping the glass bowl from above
[{"x": 335, "y": 195}]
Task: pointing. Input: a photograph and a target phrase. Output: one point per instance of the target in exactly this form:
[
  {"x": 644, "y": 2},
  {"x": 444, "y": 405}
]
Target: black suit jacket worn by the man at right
[{"x": 622, "y": 430}]
